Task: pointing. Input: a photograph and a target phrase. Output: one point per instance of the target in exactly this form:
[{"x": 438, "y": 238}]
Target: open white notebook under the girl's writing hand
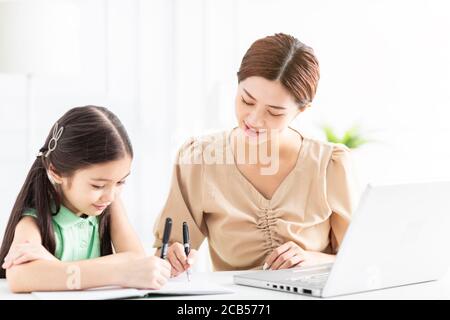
[{"x": 174, "y": 287}]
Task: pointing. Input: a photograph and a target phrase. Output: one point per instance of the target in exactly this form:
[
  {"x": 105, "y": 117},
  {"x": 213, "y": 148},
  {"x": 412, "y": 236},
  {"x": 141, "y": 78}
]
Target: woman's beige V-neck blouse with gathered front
[{"x": 312, "y": 206}]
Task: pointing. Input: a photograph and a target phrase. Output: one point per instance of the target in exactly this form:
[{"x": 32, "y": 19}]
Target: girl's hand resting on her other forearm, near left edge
[{"x": 26, "y": 252}]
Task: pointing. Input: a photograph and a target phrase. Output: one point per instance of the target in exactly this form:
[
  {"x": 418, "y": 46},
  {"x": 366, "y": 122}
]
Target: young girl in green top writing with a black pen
[{"x": 61, "y": 234}]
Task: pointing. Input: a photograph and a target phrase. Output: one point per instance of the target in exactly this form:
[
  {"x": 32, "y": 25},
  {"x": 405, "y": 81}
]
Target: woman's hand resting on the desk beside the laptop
[{"x": 291, "y": 255}]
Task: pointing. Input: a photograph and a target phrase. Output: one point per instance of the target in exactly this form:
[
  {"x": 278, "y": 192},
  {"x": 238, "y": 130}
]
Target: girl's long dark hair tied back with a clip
[{"x": 91, "y": 135}]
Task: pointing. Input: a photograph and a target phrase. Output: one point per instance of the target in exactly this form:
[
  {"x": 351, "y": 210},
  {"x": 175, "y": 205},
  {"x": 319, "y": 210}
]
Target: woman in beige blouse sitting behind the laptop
[{"x": 263, "y": 194}]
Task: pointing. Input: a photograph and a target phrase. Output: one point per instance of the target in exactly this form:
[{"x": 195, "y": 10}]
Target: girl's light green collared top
[{"x": 76, "y": 238}]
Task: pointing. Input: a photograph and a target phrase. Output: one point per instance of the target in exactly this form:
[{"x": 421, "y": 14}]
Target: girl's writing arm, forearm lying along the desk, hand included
[{"x": 126, "y": 269}]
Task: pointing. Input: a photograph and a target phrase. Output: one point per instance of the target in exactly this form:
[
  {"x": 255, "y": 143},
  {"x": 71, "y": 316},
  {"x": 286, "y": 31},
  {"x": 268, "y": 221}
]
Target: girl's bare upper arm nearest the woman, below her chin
[{"x": 123, "y": 237}]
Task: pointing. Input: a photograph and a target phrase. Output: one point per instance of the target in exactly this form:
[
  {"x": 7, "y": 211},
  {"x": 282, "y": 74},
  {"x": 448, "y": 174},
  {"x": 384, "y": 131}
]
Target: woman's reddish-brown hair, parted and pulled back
[{"x": 284, "y": 58}]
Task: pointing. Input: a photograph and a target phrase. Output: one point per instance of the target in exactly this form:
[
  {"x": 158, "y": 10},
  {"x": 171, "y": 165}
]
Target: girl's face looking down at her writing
[{"x": 92, "y": 189}]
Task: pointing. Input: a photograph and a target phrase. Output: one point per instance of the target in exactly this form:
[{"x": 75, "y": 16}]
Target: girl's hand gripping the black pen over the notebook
[{"x": 145, "y": 273}]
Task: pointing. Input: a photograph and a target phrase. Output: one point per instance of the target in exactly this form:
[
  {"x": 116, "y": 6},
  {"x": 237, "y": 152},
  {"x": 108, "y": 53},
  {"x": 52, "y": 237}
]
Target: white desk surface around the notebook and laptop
[{"x": 431, "y": 290}]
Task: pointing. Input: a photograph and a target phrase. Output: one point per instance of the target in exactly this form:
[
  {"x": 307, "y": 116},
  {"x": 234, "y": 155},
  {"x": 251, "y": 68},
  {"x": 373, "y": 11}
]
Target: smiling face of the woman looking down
[{"x": 264, "y": 107}]
